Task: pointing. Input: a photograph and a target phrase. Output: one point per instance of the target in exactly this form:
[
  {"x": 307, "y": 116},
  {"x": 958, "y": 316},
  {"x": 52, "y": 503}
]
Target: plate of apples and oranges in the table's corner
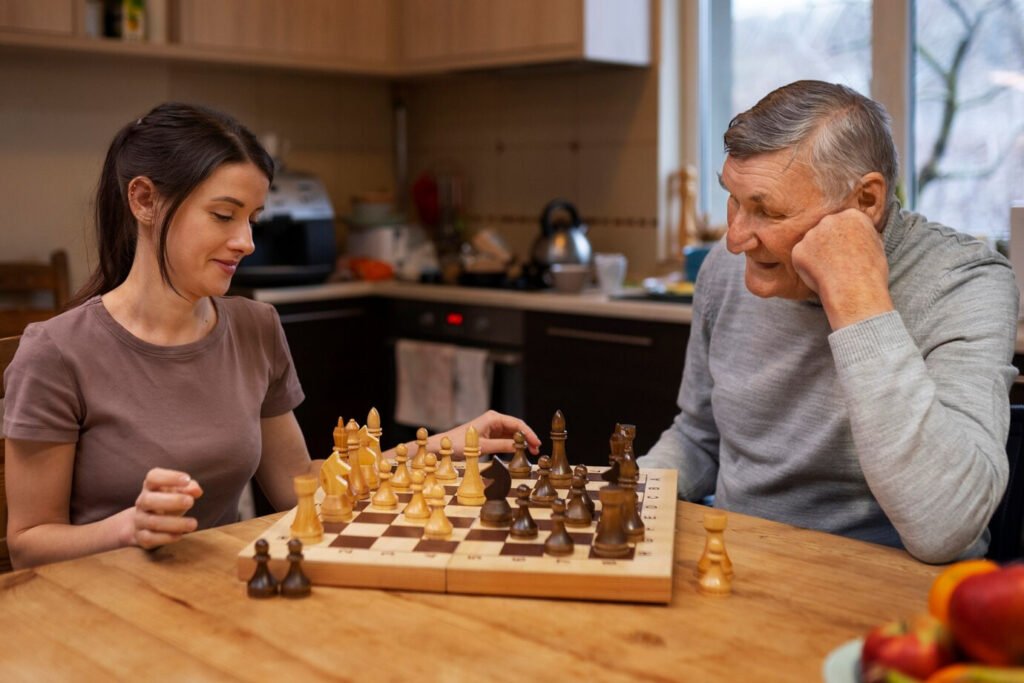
[{"x": 973, "y": 632}]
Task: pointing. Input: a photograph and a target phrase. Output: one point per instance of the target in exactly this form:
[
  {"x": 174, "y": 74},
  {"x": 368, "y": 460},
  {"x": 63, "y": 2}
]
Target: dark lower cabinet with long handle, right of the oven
[{"x": 602, "y": 371}]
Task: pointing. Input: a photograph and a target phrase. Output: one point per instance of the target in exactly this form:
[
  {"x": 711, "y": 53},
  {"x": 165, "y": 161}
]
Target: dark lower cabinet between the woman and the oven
[{"x": 338, "y": 353}]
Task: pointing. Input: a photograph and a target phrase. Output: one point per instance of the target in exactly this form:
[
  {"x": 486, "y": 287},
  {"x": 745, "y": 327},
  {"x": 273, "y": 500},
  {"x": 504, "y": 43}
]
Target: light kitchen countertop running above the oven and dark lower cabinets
[{"x": 590, "y": 303}]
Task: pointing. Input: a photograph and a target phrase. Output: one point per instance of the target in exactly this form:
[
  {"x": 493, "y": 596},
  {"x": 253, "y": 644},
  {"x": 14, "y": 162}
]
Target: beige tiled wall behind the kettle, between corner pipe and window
[{"x": 521, "y": 139}]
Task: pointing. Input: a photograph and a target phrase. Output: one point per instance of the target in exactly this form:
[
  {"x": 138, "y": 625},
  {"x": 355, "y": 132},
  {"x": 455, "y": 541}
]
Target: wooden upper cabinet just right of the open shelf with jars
[{"x": 356, "y": 34}]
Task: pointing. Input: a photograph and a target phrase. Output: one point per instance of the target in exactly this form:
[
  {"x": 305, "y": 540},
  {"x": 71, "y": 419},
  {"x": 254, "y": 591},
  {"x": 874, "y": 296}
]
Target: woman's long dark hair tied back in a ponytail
[{"x": 178, "y": 147}]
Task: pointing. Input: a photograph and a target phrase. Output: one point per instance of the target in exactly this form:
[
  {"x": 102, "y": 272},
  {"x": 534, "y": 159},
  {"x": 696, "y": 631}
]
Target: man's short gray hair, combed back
[{"x": 846, "y": 135}]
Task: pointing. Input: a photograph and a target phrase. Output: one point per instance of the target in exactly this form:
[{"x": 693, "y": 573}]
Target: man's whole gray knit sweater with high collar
[{"x": 891, "y": 431}]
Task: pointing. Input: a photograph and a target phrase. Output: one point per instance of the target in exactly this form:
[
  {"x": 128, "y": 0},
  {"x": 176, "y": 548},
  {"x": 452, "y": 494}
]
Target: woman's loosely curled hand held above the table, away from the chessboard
[{"x": 158, "y": 518}]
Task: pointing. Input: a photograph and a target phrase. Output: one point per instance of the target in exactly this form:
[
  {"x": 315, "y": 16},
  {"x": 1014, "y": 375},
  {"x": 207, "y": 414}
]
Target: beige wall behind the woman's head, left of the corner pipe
[{"x": 60, "y": 112}]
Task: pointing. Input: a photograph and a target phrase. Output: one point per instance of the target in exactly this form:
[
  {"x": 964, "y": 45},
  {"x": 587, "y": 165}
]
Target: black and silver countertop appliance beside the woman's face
[{"x": 294, "y": 239}]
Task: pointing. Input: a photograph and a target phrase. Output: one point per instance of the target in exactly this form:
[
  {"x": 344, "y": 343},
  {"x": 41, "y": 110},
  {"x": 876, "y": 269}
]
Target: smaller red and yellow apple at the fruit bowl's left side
[{"x": 917, "y": 648}]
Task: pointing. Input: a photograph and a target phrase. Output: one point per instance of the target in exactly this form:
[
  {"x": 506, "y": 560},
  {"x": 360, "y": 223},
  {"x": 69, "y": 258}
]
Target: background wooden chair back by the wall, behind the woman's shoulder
[{"x": 22, "y": 280}]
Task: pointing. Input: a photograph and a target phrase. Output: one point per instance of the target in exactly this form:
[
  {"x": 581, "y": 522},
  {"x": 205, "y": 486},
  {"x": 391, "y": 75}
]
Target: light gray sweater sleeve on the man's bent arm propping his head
[{"x": 930, "y": 417}]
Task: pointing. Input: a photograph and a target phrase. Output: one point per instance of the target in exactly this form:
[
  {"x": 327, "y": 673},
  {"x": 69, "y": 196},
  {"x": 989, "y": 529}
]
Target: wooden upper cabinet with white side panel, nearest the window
[{"x": 443, "y": 35}]
